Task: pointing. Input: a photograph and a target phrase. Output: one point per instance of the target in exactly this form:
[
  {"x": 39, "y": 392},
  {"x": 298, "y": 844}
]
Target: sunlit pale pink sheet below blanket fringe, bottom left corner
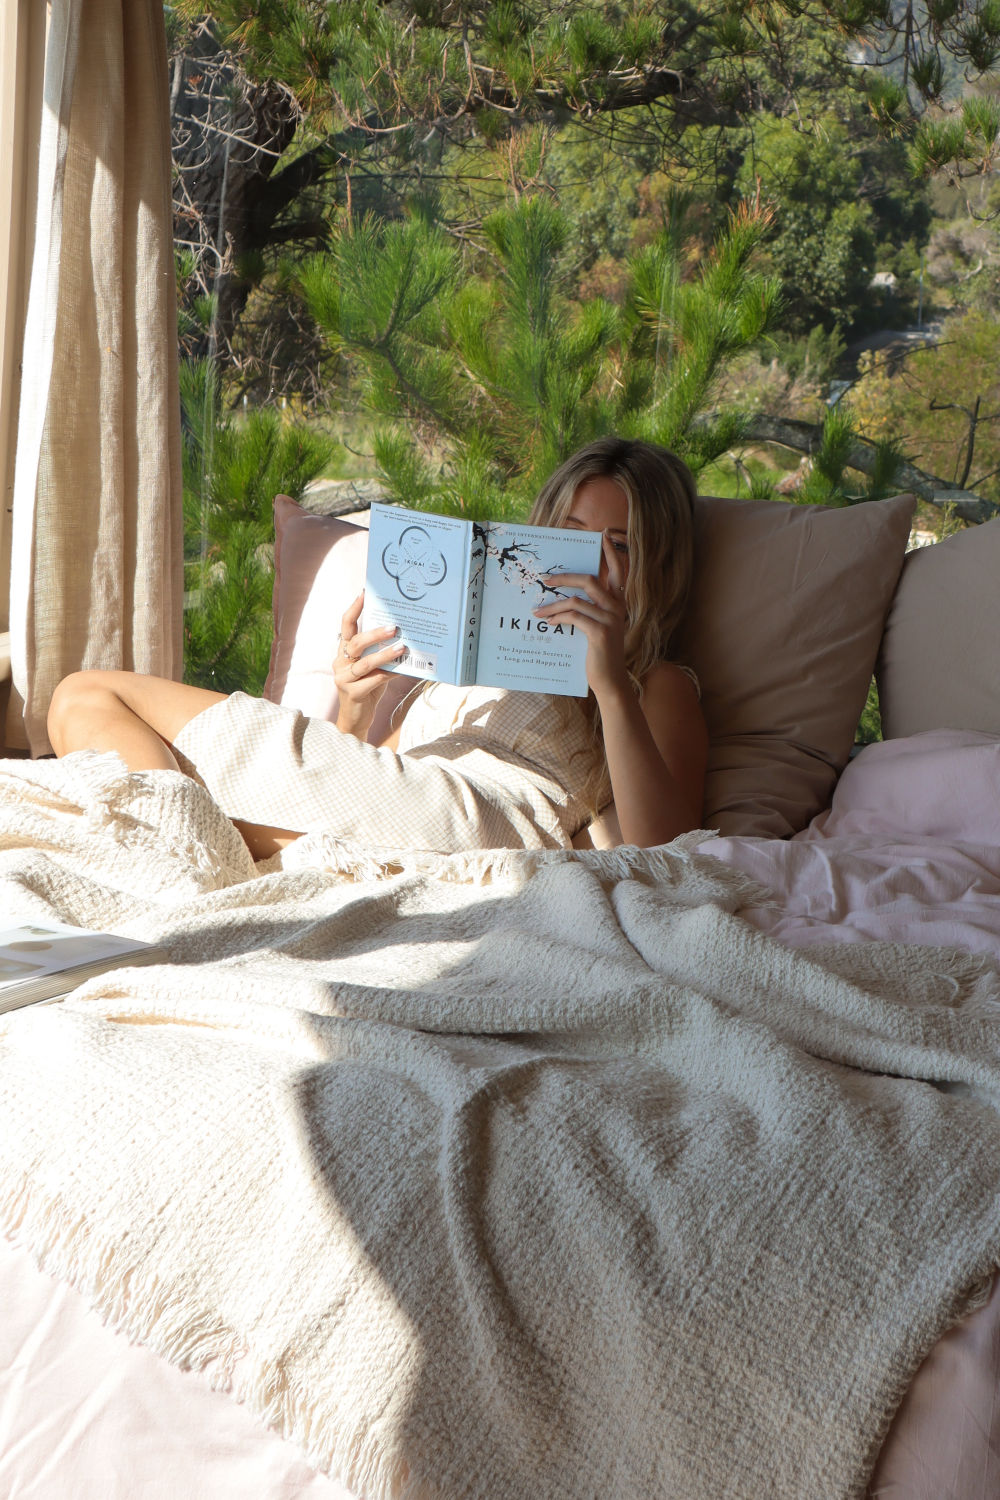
[{"x": 86, "y": 1415}]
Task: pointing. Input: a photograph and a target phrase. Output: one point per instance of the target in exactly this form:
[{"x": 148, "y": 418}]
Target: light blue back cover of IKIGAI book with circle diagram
[{"x": 418, "y": 566}]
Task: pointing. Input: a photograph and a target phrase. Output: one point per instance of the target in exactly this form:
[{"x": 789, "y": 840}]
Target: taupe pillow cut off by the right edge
[{"x": 939, "y": 665}]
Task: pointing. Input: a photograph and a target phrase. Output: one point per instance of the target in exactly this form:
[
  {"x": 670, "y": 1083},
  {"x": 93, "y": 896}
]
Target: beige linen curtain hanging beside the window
[{"x": 97, "y": 523}]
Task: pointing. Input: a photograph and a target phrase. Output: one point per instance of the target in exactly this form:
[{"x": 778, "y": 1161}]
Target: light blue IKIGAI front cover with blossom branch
[{"x": 518, "y": 650}]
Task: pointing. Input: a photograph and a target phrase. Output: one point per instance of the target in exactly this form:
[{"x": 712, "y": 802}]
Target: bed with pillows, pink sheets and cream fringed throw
[{"x": 591, "y": 1172}]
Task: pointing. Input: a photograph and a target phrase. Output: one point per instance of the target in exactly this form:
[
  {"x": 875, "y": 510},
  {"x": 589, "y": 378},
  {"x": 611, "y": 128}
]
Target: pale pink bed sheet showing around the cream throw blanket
[{"x": 911, "y": 851}]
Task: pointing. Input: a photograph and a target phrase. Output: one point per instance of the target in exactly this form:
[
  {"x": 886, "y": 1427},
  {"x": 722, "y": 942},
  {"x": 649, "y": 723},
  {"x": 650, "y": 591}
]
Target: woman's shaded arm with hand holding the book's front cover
[{"x": 657, "y": 743}]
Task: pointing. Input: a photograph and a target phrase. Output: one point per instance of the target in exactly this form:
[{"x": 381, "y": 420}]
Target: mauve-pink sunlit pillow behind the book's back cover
[{"x": 319, "y": 572}]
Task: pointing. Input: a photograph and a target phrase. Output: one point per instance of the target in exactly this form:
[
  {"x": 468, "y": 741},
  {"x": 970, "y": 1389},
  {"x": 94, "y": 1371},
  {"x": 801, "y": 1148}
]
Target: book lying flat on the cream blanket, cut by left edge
[{"x": 47, "y": 961}]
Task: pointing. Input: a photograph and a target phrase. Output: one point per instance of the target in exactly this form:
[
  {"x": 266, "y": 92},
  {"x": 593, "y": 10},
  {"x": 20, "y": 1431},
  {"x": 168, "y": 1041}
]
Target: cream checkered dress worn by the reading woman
[{"x": 476, "y": 769}]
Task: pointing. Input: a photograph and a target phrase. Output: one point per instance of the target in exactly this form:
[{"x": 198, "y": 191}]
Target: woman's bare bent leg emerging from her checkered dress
[{"x": 140, "y": 718}]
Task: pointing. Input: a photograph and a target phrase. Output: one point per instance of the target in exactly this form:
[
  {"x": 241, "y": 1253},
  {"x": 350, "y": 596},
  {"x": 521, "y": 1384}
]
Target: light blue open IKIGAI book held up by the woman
[{"x": 463, "y": 596}]
